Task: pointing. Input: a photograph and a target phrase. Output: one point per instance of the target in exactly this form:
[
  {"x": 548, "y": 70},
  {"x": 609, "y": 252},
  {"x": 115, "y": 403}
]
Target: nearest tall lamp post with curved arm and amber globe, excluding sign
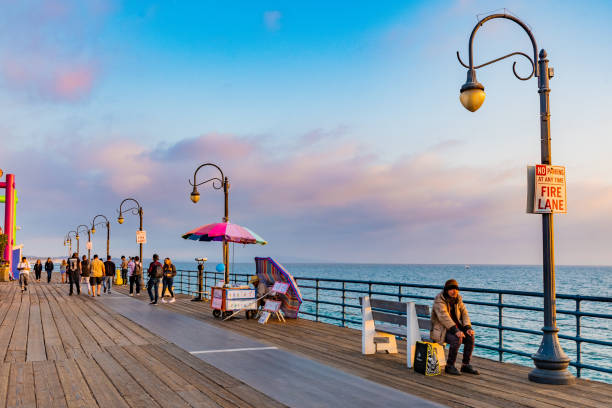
[{"x": 551, "y": 361}]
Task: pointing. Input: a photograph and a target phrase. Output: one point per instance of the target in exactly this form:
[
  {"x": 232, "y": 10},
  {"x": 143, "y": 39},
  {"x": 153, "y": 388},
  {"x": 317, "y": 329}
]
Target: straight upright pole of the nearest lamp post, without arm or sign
[{"x": 551, "y": 361}]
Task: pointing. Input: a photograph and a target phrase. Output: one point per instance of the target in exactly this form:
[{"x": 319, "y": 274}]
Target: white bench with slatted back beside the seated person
[{"x": 398, "y": 319}]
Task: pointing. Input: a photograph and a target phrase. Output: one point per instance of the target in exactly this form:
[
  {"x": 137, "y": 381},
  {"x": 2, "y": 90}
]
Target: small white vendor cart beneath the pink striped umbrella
[{"x": 226, "y": 301}]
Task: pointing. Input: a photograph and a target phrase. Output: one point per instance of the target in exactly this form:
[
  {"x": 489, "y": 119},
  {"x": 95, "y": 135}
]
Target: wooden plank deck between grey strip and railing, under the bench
[{"x": 499, "y": 385}]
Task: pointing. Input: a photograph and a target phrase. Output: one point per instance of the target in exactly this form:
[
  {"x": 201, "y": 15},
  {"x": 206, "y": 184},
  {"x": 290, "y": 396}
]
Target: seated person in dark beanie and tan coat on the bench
[{"x": 450, "y": 323}]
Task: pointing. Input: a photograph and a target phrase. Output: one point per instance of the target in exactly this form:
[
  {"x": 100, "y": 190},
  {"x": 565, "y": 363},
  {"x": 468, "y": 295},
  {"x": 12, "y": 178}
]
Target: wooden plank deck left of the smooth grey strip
[{"x": 71, "y": 351}]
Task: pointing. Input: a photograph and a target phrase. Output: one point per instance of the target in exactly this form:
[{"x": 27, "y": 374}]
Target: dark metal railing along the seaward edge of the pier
[{"x": 337, "y": 301}]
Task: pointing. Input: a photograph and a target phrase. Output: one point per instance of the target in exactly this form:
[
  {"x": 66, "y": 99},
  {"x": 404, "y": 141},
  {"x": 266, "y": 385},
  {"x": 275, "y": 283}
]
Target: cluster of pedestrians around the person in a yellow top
[{"x": 97, "y": 275}]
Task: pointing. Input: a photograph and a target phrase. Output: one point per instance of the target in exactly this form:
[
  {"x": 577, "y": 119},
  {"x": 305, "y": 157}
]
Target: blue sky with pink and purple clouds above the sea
[{"x": 338, "y": 124}]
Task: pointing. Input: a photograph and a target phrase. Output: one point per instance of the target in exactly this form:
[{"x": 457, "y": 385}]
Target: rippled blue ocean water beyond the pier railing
[{"x": 574, "y": 280}]
